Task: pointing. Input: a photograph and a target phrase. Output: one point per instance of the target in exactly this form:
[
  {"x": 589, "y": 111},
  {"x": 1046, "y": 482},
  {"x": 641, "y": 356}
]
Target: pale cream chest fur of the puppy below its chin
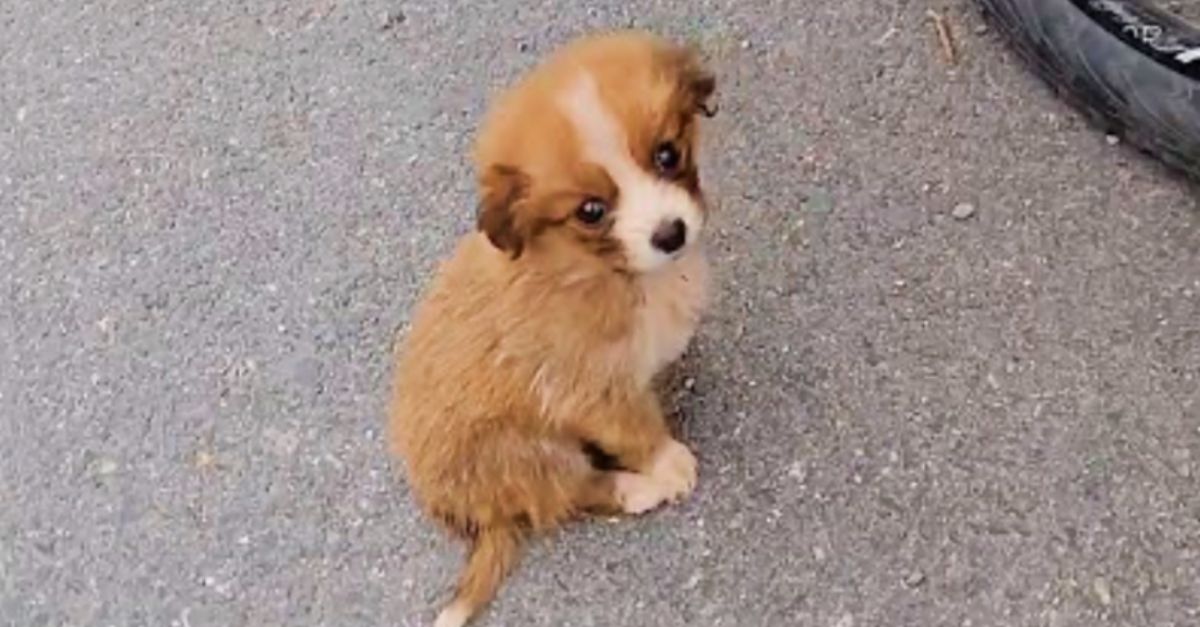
[{"x": 674, "y": 300}]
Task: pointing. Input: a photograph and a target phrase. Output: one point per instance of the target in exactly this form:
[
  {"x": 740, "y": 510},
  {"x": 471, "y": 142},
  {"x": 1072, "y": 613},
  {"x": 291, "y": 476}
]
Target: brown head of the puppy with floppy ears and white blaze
[{"x": 592, "y": 158}]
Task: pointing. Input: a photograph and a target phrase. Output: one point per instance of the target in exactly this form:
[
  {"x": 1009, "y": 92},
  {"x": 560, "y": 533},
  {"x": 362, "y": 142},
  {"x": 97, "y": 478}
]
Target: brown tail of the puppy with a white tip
[{"x": 494, "y": 554}]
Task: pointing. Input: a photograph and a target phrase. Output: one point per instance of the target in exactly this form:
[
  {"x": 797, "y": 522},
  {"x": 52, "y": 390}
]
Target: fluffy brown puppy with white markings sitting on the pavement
[{"x": 523, "y": 395}]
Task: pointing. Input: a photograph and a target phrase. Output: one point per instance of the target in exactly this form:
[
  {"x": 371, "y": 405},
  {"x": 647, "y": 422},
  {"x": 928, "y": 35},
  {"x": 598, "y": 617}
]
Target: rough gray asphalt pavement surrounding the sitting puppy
[{"x": 215, "y": 214}]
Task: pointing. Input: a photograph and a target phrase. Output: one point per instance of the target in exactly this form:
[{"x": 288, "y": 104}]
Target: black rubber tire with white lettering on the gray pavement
[{"x": 1132, "y": 68}]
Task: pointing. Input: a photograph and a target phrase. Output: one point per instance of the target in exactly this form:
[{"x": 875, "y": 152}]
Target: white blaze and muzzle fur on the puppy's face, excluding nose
[{"x": 645, "y": 201}]
